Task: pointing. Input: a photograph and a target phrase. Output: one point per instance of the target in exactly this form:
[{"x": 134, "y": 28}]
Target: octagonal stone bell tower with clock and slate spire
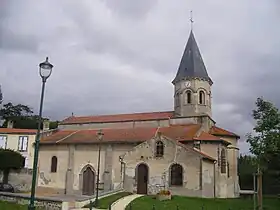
[{"x": 192, "y": 85}]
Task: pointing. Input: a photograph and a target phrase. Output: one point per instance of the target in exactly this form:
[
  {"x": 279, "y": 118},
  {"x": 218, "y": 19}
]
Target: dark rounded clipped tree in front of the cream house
[{"x": 10, "y": 160}]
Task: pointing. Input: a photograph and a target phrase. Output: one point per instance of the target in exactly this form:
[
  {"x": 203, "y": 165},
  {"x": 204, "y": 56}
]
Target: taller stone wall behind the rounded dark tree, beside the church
[{"x": 20, "y": 180}]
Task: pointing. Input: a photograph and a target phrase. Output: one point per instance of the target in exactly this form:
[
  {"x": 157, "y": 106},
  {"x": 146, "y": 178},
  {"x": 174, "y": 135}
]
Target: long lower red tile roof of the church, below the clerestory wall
[{"x": 182, "y": 133}]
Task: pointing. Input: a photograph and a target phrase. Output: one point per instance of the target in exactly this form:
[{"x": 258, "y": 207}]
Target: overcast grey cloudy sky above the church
[{"x": 120, "y": 56}]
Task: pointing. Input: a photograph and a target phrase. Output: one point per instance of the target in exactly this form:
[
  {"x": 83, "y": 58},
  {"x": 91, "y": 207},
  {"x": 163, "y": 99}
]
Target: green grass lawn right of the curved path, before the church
[{"x": 185, "y": 203}]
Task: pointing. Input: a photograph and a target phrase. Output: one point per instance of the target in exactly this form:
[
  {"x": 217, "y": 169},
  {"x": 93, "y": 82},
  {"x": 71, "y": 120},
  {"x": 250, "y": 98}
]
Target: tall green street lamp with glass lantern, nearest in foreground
[{"x": 45, "y": 70}]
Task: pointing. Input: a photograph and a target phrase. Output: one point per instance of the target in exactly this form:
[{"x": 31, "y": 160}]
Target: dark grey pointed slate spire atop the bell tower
[{"x": 192, "y": 65}]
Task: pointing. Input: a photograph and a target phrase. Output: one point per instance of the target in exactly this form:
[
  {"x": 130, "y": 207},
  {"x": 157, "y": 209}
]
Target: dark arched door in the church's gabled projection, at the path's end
[{"x": 142, "y": 179}]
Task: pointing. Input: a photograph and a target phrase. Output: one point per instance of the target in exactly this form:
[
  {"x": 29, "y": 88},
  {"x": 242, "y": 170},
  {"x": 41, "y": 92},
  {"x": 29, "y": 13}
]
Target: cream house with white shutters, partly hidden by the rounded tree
[{"x": 20, "y": 140}]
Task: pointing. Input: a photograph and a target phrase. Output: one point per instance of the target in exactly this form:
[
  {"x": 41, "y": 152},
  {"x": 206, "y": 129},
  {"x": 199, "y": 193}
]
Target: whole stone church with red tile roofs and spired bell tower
[{"x": 181, "y": 150}]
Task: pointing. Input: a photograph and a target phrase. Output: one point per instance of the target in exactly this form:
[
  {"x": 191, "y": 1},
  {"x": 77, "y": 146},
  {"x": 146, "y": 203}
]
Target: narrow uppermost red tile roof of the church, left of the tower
[{"x": 118, "y": 118}]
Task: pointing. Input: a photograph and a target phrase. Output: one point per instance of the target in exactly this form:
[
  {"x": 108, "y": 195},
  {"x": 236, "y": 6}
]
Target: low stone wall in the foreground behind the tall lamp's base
[{"x": 44, "y": 203}]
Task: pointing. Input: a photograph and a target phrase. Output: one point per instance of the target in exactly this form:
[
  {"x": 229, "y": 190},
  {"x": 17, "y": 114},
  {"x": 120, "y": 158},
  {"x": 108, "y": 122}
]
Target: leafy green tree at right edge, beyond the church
[{"x": 265, "y": 142}]
